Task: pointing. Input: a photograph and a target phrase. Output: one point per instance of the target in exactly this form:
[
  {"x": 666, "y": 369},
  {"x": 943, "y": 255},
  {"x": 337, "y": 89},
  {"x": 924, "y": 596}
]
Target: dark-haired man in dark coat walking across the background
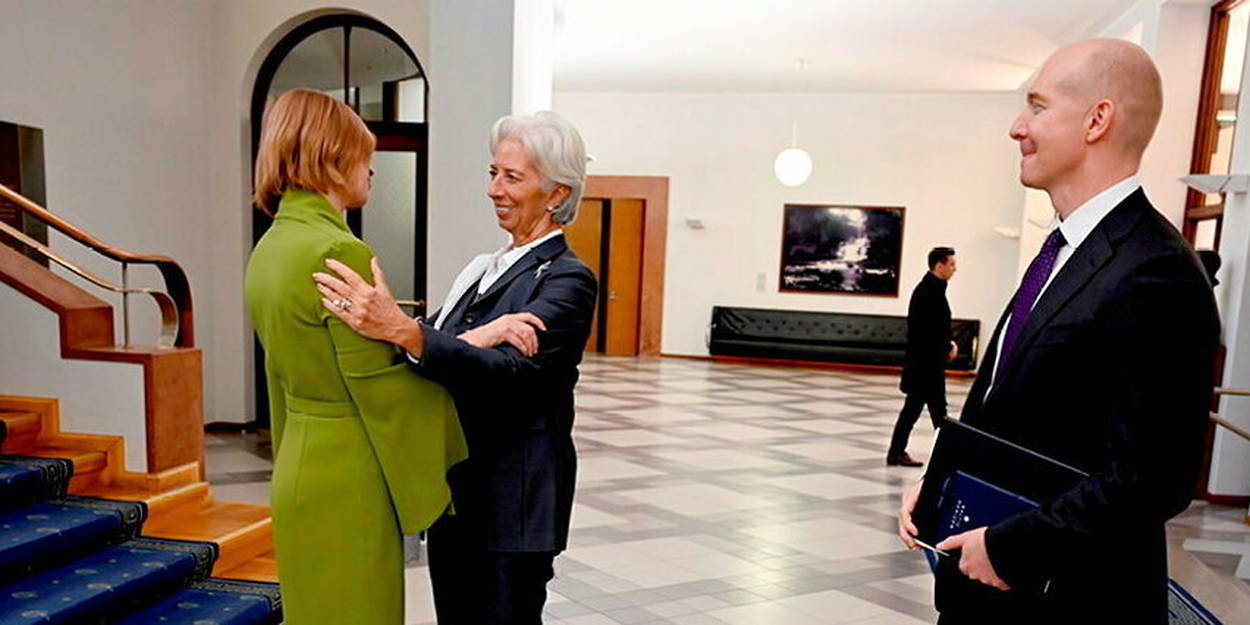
[{"x": 929, "y": 349}]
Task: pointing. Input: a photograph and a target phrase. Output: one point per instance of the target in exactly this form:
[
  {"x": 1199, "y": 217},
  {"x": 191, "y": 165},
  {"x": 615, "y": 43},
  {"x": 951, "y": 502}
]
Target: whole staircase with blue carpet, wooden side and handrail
[{"x": 83, "y": 541}]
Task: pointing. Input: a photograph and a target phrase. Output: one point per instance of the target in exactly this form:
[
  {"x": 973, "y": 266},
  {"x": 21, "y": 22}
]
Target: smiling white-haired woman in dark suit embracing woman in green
[{"x": 507, "y": 343}]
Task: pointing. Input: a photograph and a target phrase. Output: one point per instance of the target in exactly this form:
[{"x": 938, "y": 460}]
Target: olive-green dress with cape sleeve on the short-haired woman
[{"x": 362, "y": 444}]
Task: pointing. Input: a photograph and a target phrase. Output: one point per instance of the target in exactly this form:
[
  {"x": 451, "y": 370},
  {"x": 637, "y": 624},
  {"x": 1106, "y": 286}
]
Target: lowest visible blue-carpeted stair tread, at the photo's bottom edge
[{"x": 216, "y": 602}]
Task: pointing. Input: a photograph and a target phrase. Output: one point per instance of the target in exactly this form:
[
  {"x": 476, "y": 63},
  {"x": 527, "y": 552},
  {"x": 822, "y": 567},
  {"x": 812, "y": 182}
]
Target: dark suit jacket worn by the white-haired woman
[{"x": 517, "y": 488}]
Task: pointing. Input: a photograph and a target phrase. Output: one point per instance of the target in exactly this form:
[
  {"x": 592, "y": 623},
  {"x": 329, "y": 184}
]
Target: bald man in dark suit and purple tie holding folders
[{"x": 1102, "y": 361}]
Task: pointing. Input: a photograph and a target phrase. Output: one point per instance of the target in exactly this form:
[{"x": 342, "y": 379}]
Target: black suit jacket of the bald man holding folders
[{"x": 1112, "y": 374}]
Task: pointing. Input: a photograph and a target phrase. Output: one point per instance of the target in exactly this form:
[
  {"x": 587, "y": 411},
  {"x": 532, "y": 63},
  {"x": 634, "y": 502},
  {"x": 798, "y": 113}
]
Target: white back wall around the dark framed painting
[{"x": 946, "y": 158}]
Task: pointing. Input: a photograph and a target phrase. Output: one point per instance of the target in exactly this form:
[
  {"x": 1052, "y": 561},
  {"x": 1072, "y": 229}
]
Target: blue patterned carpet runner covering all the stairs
[{"x": 81, "y": 562}]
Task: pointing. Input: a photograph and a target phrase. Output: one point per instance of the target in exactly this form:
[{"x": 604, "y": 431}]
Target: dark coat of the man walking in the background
[{"x": 928, "y": 339}]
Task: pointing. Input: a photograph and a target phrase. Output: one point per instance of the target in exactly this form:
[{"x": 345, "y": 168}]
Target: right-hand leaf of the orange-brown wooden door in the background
[{"x": 623, "y": 288}]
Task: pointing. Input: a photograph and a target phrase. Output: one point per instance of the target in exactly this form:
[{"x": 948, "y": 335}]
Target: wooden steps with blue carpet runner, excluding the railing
[{"x": 83, "y": 541}]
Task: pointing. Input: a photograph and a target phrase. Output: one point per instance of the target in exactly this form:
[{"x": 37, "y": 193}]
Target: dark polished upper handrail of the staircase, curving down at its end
[{"x": 176, "y": 279}]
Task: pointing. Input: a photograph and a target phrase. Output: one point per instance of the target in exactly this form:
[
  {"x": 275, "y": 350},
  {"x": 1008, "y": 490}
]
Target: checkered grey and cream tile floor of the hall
[{"x": 714, "y": 494}]
